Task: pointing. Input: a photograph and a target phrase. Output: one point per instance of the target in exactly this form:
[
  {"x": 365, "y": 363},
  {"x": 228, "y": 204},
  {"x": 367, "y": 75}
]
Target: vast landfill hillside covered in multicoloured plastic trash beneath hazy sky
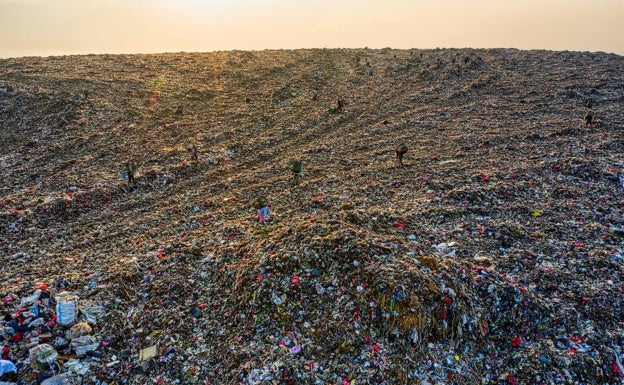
[{"x": 313, "y": 216}]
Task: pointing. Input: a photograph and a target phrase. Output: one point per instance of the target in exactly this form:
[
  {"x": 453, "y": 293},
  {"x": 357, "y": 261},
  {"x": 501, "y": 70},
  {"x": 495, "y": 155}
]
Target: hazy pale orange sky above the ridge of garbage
[{"x": 58, "y": 27}]
